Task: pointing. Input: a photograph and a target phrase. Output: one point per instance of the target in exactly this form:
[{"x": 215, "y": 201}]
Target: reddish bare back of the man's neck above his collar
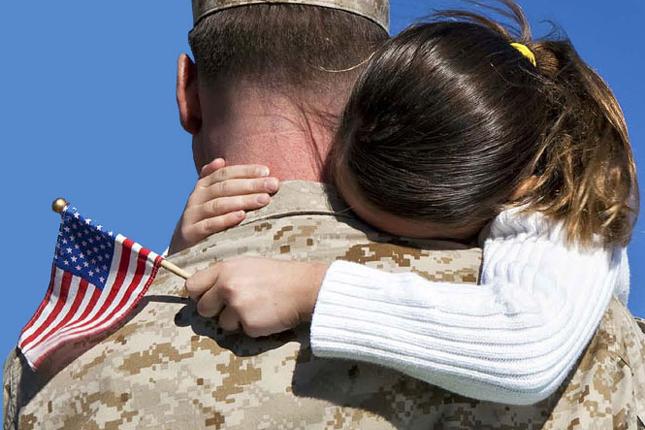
[{"x": 268, "y": 129}]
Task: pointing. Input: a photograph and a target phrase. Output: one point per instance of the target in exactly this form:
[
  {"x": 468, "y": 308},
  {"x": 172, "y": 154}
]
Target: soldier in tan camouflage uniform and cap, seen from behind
[{"x": 169, "y": 368}]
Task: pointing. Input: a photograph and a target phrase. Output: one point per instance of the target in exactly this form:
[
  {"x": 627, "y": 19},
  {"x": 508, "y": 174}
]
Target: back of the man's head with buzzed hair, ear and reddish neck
[{"x": 270, "y": 81}]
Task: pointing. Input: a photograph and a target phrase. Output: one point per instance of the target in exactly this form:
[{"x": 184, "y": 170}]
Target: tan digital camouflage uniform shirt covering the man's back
[{"x": 167, "y": 368}]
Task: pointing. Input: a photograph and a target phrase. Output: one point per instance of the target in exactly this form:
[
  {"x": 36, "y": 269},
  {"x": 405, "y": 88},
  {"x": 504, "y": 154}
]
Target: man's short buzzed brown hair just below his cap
[{"x": 284, "y": 44}]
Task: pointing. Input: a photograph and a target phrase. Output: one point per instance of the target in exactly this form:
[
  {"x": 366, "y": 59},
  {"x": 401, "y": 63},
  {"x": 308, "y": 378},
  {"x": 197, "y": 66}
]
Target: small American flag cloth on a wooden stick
[{"x": 97, "y": 279}]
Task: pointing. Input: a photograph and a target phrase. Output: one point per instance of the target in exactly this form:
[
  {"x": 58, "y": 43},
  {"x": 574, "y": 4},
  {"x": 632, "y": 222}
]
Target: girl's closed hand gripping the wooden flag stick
[{"x": 260, "y": 295}]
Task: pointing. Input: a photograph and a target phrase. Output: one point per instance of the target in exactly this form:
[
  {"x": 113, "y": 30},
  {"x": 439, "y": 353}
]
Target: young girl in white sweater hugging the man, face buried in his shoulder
[{"x": 456, "y": 128}]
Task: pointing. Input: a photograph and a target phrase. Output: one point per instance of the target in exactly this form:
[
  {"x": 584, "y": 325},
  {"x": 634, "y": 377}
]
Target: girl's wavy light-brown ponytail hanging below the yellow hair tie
[{"x": 585, "y": 170}]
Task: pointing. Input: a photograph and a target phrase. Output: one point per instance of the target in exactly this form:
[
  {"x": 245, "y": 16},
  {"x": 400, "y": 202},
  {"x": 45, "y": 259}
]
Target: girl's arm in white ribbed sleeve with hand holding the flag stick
[{"x": 512, "y": 339}]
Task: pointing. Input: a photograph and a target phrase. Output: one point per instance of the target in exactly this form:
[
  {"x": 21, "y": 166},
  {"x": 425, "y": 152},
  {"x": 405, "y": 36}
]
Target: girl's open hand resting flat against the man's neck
[{"x": 220, "y": 201}]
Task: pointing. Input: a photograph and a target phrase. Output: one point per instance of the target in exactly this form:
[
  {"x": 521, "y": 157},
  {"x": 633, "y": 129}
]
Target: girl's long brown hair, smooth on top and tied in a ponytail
[{"x": 449, "y": 120}]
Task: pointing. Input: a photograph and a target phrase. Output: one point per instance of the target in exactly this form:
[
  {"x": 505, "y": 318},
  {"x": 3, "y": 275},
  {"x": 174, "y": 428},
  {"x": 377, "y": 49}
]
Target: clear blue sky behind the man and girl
[{"x": 87, "y": 112}]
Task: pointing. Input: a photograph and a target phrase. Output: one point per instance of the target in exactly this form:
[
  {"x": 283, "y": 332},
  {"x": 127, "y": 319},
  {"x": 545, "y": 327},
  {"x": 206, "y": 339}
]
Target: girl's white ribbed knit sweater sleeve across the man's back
[{"x": 513, "y": 339}]
